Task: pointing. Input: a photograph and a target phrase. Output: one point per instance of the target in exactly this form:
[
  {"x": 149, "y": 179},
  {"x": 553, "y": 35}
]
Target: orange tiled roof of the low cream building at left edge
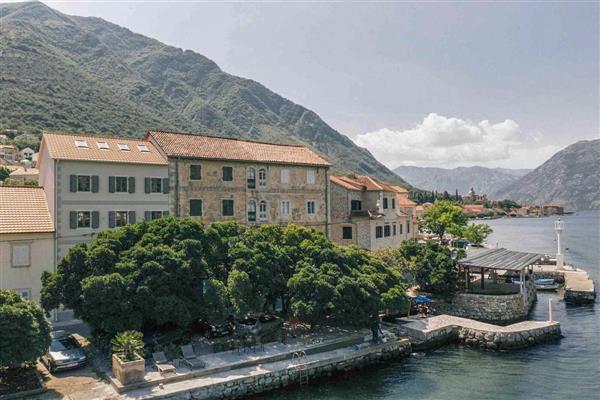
[{"x": 23, "y": 209}]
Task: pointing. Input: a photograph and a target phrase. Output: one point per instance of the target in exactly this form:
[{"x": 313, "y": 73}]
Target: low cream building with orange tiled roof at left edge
[{"x": 26, "y": 240}]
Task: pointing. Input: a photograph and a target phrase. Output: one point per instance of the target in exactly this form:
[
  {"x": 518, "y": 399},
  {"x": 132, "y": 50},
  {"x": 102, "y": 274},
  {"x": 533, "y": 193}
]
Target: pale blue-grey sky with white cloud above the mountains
[{"x": 445, "y": 84}]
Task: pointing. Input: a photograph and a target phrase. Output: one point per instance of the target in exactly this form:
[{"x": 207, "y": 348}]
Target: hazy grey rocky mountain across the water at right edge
[{"x": 570, "y": 178}]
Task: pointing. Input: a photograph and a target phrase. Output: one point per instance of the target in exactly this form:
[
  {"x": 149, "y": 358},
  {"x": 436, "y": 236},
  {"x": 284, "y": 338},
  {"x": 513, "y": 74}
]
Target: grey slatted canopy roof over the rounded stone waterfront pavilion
[{"x": 500, "y": 259}]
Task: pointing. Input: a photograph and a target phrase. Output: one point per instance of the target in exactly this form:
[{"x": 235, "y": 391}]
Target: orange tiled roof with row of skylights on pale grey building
[{"x": 62, "y": 146}]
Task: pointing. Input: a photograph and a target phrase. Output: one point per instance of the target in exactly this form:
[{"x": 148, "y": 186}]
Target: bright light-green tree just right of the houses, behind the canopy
[{"x": 444, "y": 217}]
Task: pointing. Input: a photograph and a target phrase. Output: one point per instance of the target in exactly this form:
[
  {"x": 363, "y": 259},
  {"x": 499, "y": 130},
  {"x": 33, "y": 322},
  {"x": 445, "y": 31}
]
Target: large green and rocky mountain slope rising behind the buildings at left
[{"x": 83, "y": 74}]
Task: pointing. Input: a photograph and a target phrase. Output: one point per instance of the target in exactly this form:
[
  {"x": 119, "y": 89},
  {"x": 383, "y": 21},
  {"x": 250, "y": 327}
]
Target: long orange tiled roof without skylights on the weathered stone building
[{"x": 187, "y": 145}]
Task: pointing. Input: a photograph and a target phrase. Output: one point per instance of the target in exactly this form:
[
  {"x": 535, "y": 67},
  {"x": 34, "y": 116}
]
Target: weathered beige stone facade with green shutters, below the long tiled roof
[{"x": 256, "y": 193}]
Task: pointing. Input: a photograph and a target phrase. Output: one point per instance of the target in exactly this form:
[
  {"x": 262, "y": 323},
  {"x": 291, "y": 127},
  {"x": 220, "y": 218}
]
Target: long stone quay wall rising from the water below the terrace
[{"x": 279, "y": 378}]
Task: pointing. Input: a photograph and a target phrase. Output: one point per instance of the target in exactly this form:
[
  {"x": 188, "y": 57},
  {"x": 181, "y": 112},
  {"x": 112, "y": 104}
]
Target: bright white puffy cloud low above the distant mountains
[{"x": 450, "y": 142}]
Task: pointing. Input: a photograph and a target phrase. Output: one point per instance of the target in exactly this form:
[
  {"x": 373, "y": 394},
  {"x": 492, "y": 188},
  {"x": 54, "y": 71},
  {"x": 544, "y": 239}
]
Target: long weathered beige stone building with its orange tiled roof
[{"x": 215, "y": 179}]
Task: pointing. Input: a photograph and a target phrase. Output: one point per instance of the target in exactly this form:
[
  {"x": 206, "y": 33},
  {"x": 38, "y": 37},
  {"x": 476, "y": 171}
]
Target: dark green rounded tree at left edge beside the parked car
[{"x": 24, "y": 331}]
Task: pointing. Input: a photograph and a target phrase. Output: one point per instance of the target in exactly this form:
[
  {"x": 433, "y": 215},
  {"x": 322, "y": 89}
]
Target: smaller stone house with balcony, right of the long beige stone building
[{"x": 369, "y": 213}]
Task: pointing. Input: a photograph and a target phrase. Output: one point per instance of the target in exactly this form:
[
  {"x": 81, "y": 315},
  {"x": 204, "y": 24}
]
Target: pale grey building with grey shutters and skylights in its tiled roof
[{"x": 93, "y": 183}]
